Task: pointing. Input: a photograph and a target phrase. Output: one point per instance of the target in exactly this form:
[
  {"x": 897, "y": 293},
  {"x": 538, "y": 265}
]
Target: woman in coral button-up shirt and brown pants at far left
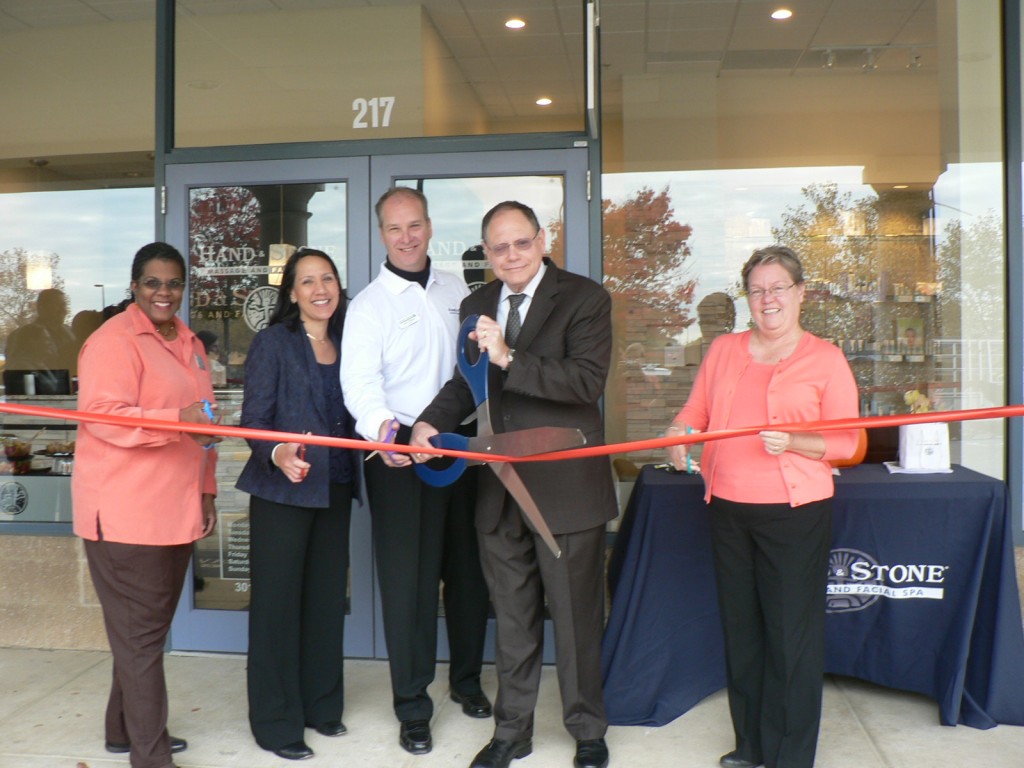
[{"x": 141, "y": 496}]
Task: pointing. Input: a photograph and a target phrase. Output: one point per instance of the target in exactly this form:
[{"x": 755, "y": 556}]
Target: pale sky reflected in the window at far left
[{"x": 95, "y": 232}]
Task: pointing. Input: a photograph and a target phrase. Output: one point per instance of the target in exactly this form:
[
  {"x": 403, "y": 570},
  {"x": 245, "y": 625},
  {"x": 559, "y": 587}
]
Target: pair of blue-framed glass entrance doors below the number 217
[{"x": 238, "y": 223}]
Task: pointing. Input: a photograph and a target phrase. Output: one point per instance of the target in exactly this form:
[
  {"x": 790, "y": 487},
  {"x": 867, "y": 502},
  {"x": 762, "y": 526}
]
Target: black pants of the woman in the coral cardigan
[{"x": 772, "y": 566}]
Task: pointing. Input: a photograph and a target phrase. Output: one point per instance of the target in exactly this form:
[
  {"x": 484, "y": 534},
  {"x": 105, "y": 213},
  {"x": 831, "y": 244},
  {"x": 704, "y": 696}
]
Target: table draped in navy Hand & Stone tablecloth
[{"x": 922, "y": 596}]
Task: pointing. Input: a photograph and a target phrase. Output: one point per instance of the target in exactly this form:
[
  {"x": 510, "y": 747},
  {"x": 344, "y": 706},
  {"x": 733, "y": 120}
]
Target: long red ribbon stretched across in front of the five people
[{"x": 1001, "y": 412}]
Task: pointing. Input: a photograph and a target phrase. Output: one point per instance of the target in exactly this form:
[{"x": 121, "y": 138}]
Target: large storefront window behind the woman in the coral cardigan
[{"x": 880, "y": 164}]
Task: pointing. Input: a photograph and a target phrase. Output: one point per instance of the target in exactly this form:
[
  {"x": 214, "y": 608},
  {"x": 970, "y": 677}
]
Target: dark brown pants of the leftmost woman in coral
[{"x": 139, "y": 588}]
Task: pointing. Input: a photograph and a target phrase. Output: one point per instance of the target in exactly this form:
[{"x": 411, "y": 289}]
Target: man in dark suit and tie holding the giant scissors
[{"x": 548, "y": 335}]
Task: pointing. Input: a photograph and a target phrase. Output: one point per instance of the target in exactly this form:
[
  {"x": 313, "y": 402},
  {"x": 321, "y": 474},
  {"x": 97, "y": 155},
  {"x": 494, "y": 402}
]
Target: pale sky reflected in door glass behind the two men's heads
[{"x": 457, "y": 205}]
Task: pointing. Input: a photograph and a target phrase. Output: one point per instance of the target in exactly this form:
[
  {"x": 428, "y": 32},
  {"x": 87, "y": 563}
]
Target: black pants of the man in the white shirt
[{"x": 422, "y": 536}]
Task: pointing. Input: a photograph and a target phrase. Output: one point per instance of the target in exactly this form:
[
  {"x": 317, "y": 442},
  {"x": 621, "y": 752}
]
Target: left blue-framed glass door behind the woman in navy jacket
[{"x": 237, "y": 224}]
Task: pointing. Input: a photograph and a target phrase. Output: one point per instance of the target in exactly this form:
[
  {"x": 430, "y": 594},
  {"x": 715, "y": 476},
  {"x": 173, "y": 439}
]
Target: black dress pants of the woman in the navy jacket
[{"x": 300, "y": 572}]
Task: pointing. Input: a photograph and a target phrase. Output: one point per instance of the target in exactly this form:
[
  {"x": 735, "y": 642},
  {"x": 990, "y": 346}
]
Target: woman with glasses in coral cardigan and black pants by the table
[{"x": 771, "y": 498}]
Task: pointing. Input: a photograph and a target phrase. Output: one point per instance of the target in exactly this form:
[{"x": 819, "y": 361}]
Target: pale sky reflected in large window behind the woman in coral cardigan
[{"x": 733, "y": 212}]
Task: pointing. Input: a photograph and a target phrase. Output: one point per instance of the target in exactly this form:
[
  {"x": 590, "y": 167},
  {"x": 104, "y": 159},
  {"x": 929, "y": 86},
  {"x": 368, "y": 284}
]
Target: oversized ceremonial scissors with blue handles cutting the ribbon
[{"x": 519, "y": 443}]
